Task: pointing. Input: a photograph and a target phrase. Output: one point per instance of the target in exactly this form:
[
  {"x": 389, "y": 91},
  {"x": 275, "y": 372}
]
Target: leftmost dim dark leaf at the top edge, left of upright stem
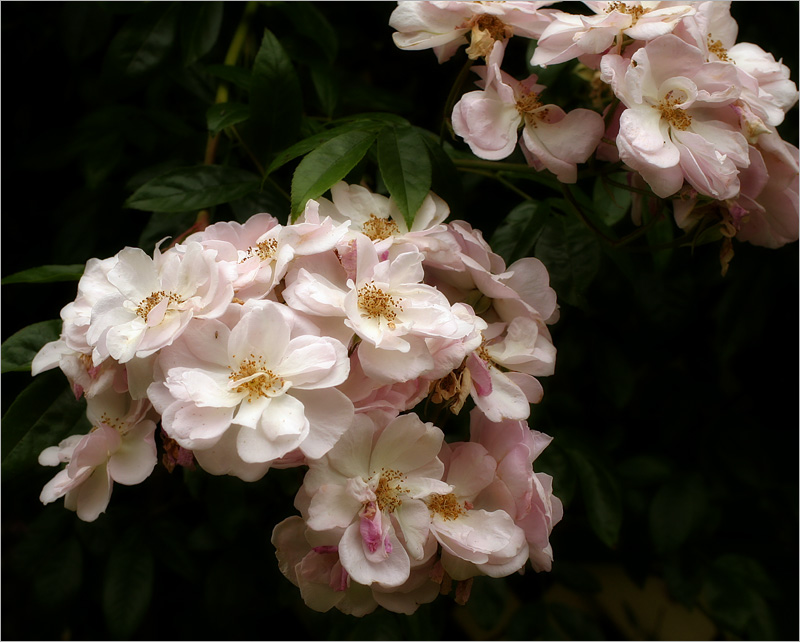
[{"x": 145, "y": 40}]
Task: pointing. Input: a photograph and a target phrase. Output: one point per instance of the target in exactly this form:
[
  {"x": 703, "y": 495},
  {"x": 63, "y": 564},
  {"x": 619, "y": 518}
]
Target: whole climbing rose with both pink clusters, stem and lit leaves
[{"x": 343, "y": 337}]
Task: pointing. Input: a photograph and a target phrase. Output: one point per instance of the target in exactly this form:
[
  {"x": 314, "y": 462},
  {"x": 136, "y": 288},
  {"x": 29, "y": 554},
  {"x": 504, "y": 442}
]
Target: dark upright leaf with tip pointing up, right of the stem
[{"x": 276, "y": 102}]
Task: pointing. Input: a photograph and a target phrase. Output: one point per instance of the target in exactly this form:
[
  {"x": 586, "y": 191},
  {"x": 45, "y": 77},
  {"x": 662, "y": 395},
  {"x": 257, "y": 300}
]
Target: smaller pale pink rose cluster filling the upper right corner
[{"x": 690, "y": 112}]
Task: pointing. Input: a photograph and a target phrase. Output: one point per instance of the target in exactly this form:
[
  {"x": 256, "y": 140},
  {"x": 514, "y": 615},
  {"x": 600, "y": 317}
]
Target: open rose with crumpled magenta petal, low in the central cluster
[{"x": 370, "y": 491}]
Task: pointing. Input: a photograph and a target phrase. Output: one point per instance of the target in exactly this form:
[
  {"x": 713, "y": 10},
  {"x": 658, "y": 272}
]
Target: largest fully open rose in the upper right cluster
[{"x": 678, "y": 124}]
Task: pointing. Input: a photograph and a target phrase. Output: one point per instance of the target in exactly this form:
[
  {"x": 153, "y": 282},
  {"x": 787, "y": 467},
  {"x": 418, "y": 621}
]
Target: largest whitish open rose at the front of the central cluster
[{"x": 253, "y": 393}]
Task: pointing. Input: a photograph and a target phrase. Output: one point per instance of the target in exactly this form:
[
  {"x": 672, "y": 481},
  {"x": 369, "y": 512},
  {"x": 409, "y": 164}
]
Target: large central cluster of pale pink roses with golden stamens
[{"x": 262, "y": 345}]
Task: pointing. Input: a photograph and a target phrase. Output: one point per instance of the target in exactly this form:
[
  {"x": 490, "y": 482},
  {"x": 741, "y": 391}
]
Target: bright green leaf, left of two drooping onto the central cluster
[{"x": 327, "y": 164}]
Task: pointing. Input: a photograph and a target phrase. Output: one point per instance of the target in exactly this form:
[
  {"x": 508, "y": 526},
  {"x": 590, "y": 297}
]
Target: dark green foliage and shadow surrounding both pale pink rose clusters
[{"x": 673, "y": 407}]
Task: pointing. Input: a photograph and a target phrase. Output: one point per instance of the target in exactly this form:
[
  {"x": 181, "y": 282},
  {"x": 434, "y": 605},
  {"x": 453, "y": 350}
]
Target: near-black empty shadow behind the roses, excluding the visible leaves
[{"x": 681, "y": 384}]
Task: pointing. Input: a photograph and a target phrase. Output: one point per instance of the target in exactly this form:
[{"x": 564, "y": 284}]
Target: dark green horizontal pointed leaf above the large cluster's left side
[{"x": 193, "y": 188}]
